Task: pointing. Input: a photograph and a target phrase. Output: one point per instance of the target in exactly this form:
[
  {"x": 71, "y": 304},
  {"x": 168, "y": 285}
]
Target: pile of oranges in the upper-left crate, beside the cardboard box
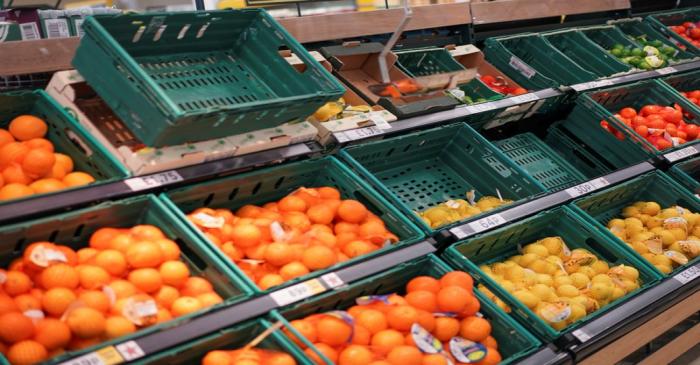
[{"x": 29, "y": 164}]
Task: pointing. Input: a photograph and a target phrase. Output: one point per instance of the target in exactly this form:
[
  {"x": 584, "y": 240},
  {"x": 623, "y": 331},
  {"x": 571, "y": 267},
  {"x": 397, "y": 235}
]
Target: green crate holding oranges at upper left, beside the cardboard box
[{"x": 67, "y": 135}]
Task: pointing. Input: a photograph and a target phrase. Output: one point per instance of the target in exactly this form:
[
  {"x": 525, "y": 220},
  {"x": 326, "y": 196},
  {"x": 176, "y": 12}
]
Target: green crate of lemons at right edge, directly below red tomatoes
[{"x": 600, "y": 207}]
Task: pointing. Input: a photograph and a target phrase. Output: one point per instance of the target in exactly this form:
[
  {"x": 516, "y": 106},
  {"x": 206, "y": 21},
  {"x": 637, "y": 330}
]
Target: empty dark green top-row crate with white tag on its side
[{"x": 533, "y": 63}]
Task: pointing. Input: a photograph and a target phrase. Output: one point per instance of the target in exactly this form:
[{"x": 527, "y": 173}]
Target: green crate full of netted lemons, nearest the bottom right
[{"x": 498, "y": 245}]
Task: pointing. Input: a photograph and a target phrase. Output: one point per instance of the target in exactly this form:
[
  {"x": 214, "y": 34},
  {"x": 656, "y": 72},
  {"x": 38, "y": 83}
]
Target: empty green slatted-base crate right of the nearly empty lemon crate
[{"x": 540, "y": 161}]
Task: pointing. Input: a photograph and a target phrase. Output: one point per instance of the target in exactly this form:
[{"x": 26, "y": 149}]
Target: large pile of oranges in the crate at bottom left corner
[{"x": 54, "y": 299}]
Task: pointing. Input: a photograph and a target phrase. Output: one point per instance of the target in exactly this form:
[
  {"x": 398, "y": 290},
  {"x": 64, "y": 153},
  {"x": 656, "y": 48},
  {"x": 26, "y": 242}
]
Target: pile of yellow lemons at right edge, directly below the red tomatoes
[{"x": 667, "y": 238}]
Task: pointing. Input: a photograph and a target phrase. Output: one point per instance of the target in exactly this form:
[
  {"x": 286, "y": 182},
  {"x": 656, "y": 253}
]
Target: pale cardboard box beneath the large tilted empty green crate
[{"x": 71, "y": 91}]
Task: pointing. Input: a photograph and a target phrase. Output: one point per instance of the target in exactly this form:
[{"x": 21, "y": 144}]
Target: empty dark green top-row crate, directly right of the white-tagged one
[{"x": 586, "y": 53}]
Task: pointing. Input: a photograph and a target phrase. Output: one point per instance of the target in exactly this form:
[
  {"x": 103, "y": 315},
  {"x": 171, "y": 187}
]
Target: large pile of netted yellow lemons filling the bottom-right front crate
[{"x": 560, "y": 285}]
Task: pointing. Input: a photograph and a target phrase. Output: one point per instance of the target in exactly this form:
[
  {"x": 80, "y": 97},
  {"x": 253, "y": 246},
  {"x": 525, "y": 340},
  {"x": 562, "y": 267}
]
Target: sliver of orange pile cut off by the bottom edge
[{"x": 247, "y": 357}]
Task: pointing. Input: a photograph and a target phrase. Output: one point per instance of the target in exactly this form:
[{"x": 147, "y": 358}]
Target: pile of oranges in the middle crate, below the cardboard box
[{"x": 308, "y": 230}]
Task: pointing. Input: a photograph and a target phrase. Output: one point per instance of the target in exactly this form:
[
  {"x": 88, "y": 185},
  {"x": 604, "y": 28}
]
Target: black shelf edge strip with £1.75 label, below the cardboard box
[{"x": 72, "y": 199}]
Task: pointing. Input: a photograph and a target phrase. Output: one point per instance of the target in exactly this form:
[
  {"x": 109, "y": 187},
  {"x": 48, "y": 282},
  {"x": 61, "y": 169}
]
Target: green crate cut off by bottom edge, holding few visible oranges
[{"x": 232, "y": 338}]
